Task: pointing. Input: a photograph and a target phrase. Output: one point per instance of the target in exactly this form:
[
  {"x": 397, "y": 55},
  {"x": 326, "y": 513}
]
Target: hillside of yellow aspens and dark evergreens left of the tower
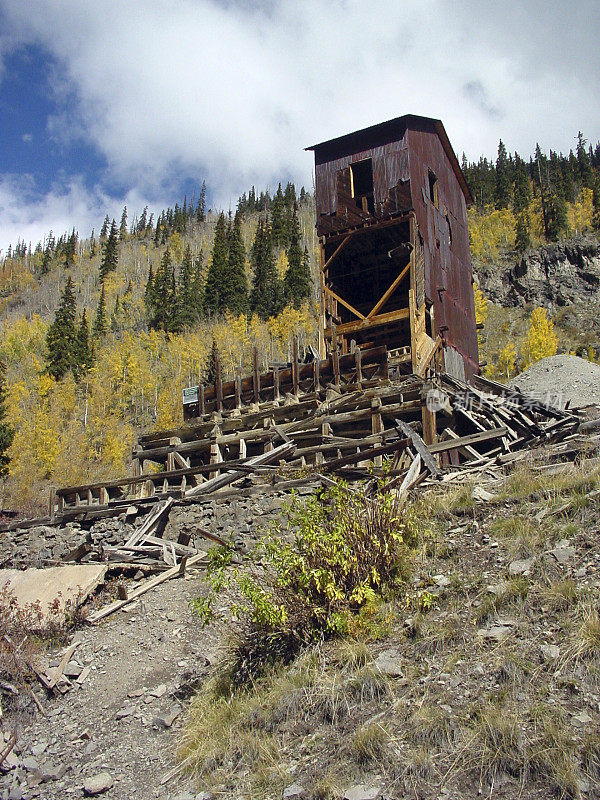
[{"x": 101, "y": 335}]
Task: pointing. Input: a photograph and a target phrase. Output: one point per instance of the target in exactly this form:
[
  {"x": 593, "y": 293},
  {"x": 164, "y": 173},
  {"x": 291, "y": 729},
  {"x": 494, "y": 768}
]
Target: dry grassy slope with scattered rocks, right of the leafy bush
[{"x": 466, "y": 714}]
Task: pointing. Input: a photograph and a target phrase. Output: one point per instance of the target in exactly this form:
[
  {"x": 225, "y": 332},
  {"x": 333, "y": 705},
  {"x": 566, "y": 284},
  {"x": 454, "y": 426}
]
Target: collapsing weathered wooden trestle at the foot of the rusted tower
[{"x": 343, "y": 415}]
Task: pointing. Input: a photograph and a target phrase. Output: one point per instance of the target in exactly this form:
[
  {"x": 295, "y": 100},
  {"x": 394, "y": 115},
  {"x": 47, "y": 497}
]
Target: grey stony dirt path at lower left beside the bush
[{"x": 143, "y": 662}]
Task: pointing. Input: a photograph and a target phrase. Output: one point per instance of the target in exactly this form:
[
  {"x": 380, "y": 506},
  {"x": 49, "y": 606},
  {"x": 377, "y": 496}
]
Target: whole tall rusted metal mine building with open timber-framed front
[{"x": 391, "y": 206}]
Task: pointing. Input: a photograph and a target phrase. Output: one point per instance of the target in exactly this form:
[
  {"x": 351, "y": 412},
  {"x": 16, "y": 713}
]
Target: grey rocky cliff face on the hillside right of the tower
[{"x": 553, "y": 277}]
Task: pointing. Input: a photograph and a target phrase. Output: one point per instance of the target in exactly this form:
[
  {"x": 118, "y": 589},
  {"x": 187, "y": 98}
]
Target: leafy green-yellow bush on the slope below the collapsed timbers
[{"x": 348, "y": 553}]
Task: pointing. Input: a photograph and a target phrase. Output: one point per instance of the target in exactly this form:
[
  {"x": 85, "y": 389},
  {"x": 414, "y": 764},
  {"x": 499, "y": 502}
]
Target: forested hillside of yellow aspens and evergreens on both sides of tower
[{"x": 101, "y": 334}]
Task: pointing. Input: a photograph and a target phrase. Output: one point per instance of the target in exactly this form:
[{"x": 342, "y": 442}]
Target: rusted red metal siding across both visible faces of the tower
[{"x": 406, "y": 149}]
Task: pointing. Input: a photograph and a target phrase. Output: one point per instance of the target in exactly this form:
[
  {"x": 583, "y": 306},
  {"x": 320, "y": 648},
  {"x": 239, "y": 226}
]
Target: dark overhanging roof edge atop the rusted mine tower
[{"x": 376, "y": 135}]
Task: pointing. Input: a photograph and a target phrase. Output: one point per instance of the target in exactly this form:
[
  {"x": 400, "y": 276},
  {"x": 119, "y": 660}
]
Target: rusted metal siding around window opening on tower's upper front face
[{"x": 390, "y": 165}]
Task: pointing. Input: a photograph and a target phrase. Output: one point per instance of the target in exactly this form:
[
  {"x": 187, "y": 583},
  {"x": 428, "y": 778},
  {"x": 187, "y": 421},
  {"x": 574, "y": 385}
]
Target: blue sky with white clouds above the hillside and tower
[{"x": 104, "y": 104}]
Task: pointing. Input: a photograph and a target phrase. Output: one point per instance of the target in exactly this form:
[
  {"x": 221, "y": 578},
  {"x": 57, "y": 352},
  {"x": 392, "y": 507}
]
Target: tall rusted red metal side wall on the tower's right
[{"x": 448, "y": 271}]
